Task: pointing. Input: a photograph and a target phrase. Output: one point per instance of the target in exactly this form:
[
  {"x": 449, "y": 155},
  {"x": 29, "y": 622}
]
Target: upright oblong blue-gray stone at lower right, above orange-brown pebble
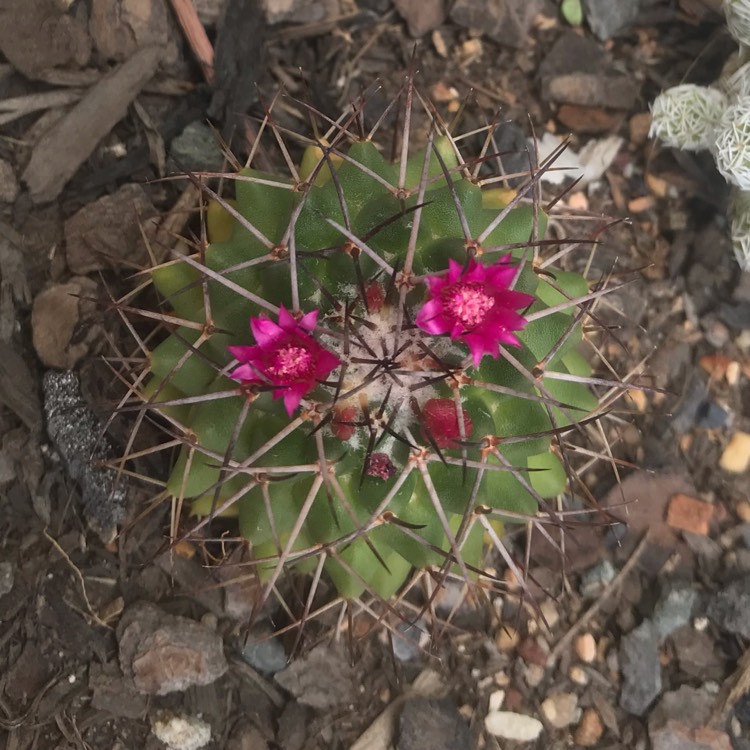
[{"x": 641, "y": 671}]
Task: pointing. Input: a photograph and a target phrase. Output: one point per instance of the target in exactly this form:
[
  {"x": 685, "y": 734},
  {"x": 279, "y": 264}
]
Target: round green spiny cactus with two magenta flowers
[{"x": 367, "y": 365}]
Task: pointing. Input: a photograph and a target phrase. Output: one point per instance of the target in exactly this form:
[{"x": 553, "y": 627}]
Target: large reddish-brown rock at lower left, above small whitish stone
[{"x": 163, "y": 653}]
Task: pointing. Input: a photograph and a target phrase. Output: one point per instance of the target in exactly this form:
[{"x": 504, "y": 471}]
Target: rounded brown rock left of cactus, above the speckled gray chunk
[{"x": 58, "y": 316}]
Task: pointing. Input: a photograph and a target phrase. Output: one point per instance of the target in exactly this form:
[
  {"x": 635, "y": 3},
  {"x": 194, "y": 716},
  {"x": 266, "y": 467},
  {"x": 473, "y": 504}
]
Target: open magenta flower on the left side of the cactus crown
[{"x": 285, "y": 357}]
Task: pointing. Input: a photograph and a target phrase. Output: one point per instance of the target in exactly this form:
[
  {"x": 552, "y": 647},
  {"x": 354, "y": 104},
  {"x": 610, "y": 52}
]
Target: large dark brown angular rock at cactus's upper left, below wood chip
[{"x": 106, "y": 234}]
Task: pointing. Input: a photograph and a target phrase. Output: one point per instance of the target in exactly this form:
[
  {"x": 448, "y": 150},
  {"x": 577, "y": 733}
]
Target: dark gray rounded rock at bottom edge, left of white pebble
[{"x": 432, "y": 725}]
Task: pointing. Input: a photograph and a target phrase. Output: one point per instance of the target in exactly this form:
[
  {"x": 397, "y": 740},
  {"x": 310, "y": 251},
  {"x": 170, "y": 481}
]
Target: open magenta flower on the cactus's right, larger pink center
[{"x": 475, "y": 305}]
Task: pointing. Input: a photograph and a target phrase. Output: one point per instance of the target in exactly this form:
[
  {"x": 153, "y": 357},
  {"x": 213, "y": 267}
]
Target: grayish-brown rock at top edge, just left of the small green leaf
[{"x": 505, "y": 21}]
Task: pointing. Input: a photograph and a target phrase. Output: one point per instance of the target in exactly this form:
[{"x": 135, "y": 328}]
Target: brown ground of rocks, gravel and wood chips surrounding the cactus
[{"x": 109, "y": 640}]
